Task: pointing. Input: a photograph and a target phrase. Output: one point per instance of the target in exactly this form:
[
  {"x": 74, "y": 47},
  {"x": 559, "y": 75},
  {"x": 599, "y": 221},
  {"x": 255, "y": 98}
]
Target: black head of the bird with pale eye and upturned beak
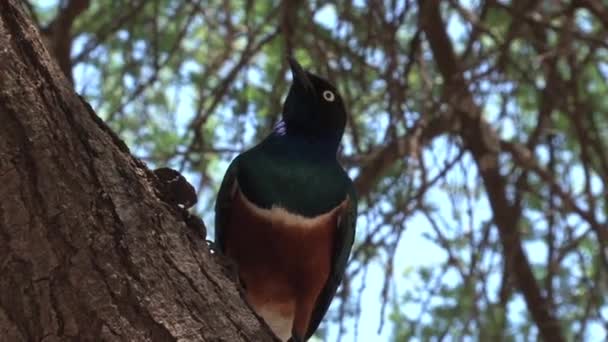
[{"x": 313, "y": 107}]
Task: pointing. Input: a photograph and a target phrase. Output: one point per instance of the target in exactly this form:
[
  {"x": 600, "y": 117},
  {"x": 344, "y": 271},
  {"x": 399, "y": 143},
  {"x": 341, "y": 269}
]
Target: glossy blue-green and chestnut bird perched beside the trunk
[{"x": 286, "y": 211}]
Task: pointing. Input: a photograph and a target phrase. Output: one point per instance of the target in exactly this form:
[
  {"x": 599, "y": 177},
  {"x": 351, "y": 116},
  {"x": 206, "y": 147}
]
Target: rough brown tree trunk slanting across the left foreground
[{"x": 87, "y": 250}]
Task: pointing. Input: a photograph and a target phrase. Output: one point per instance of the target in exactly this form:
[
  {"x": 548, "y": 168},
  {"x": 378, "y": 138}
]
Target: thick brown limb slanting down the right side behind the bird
[{"x": 481, "y": 140}]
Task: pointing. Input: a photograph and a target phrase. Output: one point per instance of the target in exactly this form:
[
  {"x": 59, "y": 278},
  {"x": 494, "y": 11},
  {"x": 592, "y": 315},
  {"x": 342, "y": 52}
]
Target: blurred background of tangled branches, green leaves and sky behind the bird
[{"x": 477, "y": 139}]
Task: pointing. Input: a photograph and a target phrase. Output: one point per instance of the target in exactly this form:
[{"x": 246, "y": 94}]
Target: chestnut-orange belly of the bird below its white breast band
[{"x": 284, "y": 260}]
